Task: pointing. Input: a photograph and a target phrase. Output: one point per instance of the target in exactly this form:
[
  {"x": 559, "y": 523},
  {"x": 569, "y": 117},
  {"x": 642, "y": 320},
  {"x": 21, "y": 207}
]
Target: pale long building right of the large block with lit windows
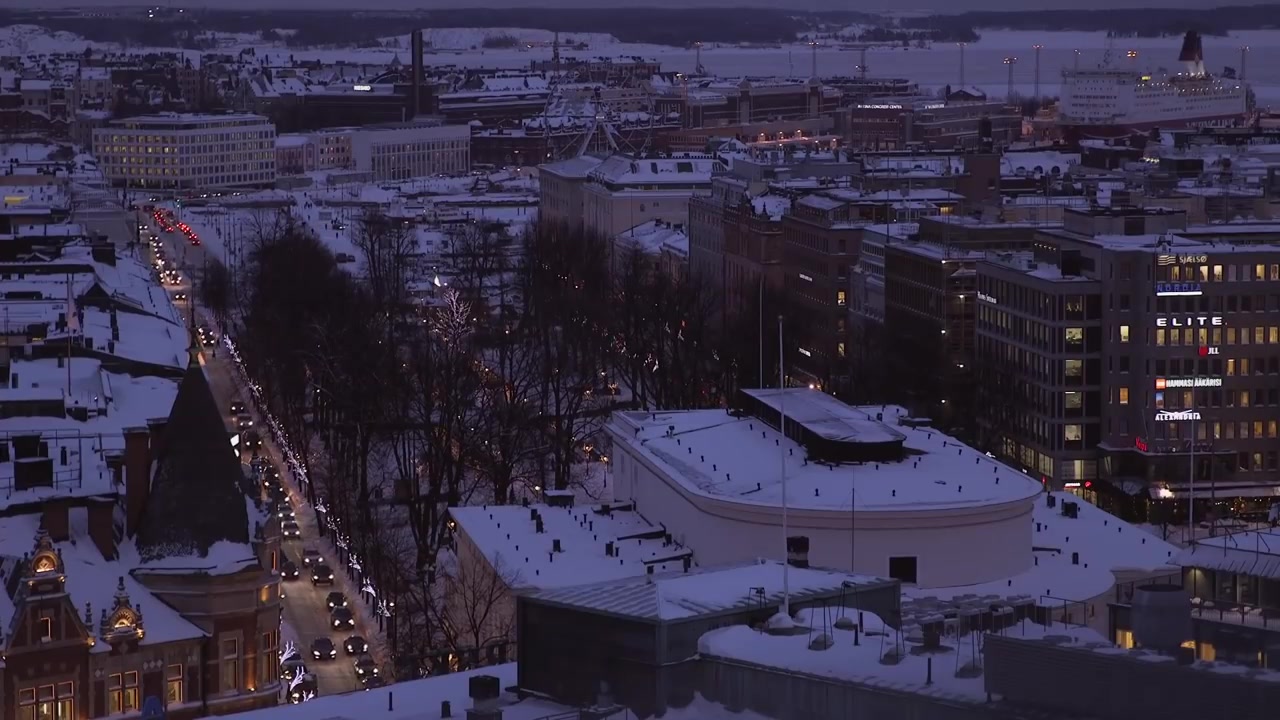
[{"x": 412, "y": 151}]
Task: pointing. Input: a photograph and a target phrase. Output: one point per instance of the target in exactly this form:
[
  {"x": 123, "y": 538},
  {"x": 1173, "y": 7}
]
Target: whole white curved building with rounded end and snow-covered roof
[{"x": 872, "y": 493}]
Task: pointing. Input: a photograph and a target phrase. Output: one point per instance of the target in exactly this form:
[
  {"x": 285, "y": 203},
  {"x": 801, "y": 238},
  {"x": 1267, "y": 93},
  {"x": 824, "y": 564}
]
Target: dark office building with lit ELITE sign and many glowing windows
[{"x": 1131, "y": 358}]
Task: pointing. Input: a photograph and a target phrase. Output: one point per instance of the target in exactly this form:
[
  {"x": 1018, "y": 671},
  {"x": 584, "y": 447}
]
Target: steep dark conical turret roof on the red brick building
[{"x": 198, "y": 491}]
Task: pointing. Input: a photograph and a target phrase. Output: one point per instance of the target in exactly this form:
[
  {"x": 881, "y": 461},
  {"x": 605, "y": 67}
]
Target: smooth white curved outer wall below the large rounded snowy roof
[{"x": 954, "y": 548}]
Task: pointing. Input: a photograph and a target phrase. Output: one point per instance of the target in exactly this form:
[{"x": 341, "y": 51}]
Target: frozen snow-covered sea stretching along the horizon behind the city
[{"x": 932, "y": 67}]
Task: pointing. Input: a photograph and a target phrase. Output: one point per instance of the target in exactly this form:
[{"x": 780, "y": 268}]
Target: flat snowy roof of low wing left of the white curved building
[{"x": 509, "y": 540}]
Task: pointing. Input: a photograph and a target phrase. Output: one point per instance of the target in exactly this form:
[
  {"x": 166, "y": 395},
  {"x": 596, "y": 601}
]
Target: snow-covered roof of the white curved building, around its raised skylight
[{"x": 712, "y": 454}]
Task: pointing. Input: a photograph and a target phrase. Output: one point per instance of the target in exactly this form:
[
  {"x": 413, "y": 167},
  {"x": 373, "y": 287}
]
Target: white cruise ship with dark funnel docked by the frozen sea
[{"x": 1108, "y": 102}]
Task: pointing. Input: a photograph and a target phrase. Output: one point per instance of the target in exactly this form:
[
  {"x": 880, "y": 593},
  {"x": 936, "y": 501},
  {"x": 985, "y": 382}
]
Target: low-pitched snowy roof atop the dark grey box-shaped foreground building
[{"x": 679, "y": 596}]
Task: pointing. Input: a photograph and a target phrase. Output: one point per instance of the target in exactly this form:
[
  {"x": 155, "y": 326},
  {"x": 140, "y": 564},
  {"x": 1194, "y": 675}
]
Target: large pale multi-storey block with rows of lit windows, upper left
[{"x": 185, "y": 151}]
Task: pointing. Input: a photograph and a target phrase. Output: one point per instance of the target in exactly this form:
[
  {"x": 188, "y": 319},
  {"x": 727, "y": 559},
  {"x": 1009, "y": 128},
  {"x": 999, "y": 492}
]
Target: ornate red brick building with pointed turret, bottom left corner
[{"x": 162, "y": 591}]
